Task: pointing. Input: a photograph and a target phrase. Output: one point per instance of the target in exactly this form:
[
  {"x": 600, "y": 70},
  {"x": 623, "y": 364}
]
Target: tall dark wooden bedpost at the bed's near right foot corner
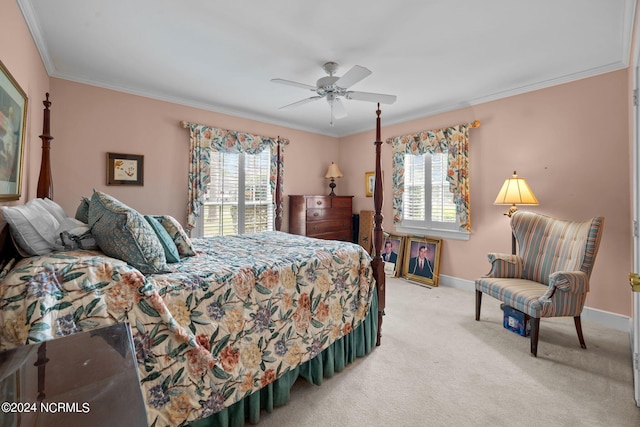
[{"x": 378, "y": 264}]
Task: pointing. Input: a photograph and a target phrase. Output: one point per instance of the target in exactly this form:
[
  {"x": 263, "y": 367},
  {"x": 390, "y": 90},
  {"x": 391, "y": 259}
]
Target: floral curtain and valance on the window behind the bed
[{"x": 204, "y": 139}]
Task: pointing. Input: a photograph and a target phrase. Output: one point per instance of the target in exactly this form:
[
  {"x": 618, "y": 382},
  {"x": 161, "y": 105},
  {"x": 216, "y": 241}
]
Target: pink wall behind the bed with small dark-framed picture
[{"x": 88, "y": 122}]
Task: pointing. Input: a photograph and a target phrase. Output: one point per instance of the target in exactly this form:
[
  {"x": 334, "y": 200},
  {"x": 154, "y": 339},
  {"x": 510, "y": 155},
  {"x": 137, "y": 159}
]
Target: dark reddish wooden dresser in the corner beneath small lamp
[{"x": 322, "y": 217}]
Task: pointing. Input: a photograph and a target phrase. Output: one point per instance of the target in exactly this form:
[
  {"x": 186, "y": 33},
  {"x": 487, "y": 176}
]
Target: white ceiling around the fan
[{"x": 435, "y": 55}]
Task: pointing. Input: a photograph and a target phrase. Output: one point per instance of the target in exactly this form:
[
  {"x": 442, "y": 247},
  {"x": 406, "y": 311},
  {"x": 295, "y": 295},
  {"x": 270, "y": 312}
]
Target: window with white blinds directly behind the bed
[{"x": 238, "y": 199}]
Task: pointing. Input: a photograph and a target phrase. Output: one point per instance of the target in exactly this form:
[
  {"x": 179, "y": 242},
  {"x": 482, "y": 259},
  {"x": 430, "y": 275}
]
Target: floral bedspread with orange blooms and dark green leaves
[{"x": 218, "y": 327}]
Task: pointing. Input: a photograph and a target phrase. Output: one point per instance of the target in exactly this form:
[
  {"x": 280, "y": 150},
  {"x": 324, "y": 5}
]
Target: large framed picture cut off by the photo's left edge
[{"x": 13, "y": 118}]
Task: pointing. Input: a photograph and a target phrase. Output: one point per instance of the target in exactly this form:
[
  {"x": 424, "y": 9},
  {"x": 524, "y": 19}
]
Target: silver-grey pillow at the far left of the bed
[{"x": 33, "y": 227}]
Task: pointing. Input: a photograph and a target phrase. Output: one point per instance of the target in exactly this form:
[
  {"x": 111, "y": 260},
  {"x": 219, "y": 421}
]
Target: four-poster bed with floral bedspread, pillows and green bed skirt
[{"x": 219, "y": 335}]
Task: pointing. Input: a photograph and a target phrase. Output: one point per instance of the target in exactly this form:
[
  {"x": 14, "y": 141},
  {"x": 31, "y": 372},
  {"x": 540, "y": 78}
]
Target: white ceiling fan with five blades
[{"x": 333, "y": 87}]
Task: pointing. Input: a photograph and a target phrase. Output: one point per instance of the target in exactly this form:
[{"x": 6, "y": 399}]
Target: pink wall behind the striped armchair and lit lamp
[{"x": 572, "y": 144}]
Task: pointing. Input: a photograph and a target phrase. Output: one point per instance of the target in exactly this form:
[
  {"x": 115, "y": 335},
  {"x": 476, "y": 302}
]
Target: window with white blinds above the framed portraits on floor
[{"x": 427, "y": 199}]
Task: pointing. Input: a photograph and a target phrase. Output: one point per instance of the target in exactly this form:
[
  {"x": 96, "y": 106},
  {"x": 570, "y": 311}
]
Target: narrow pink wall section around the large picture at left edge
[{"x": 20, "y": 56}]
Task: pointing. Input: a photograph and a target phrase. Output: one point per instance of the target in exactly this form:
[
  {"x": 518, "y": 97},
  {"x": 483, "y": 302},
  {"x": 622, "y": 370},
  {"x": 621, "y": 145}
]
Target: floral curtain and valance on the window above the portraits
[{"x": 454, "y": 140}]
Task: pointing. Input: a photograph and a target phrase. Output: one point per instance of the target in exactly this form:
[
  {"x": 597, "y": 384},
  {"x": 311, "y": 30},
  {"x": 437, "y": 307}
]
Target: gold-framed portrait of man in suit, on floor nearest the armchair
[{"x": 422, "y": 260}]
